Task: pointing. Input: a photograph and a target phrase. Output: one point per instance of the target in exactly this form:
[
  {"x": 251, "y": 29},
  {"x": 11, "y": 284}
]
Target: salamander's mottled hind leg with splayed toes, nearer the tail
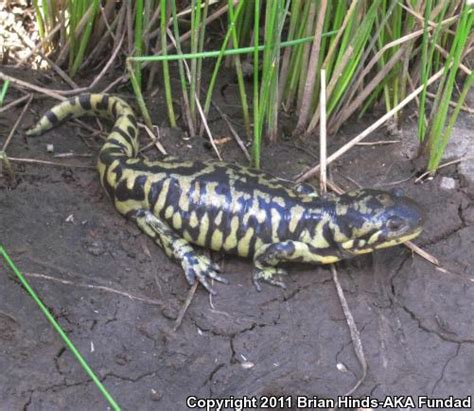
[{"x": 195, "y": 264}]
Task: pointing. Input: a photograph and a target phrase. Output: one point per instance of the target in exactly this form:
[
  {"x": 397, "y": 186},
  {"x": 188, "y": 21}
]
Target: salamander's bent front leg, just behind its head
[{"x": 269, "y": 256}]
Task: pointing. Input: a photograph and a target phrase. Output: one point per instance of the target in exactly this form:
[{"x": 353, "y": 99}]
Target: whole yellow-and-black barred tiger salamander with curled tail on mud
[{"x": 230, "y": 208}]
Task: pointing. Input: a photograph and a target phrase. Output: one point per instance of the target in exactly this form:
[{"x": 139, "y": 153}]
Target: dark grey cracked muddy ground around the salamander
[{"x": 118, "y": 296}]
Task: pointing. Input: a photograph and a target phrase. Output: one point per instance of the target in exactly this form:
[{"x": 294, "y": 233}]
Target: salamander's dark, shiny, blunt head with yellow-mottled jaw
[{"x": 373, "y": 219}]
